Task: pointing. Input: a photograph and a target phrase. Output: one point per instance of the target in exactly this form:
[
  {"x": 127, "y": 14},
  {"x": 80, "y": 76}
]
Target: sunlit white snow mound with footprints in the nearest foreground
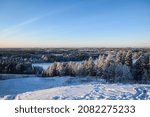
[{"x": 94, "y": 91}]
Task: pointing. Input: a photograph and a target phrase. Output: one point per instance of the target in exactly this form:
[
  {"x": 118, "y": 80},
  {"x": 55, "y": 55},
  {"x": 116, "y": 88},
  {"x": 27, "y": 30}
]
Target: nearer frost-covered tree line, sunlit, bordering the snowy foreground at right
[{"x": 112, "y": 67}]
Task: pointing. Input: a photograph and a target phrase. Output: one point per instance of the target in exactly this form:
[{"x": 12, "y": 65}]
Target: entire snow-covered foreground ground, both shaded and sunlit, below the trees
[{"x": 70, "y": 88}]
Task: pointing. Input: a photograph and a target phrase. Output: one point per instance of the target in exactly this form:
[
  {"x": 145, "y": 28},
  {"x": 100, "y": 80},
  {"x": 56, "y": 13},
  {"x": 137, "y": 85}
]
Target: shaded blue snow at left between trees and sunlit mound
[{"x": 17, "y": 84}]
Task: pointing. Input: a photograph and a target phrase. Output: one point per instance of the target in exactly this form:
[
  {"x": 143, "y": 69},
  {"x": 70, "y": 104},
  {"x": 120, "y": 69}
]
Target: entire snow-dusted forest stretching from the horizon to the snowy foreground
[{"x": 112, "y": 64}]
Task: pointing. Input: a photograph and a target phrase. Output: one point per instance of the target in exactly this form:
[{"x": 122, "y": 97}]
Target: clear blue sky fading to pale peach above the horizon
[{"x": 74, "y": 23}]
